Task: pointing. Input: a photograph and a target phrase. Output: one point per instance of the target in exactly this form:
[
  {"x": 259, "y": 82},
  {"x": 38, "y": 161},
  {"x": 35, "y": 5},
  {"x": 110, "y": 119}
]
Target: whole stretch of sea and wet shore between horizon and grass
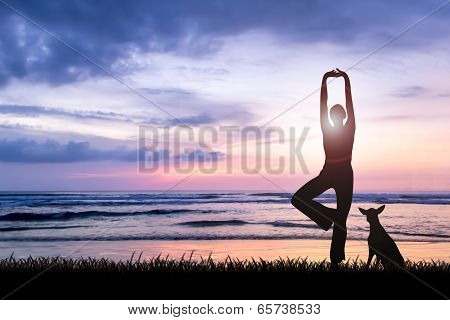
[{"x": 241, "y": 224}]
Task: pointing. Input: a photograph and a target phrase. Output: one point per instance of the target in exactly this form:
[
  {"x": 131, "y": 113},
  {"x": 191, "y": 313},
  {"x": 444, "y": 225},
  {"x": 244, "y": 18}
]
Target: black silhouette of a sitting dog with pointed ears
[{"x": 380, "y": 243}]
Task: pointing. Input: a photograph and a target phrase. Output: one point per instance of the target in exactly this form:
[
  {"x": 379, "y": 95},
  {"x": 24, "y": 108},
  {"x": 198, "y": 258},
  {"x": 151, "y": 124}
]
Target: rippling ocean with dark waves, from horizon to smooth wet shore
[{"x": 28, "y": 218}]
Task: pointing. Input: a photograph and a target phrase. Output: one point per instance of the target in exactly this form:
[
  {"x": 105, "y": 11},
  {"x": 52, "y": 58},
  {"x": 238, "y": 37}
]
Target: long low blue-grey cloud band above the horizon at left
[{"x": 50, "y": 151}]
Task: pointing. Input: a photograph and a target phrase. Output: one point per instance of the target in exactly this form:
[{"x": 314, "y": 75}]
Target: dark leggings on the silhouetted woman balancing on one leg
[{"x": 333, "y": 176}]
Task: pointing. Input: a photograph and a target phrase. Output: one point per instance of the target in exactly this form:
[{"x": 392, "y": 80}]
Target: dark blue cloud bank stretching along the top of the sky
[{"x": 110, "y": 33}]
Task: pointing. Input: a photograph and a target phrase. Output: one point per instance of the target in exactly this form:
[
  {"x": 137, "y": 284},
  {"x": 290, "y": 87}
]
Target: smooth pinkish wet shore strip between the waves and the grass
[{"x": 313, "y": 249}]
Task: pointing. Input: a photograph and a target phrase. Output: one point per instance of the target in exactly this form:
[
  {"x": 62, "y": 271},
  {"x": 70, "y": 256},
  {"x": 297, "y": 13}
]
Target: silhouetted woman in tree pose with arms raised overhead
[{"x": 337, "y": 172}]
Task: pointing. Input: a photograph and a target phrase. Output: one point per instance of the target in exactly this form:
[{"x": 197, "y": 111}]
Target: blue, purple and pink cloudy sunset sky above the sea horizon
[{"x": 79, "y": 78}]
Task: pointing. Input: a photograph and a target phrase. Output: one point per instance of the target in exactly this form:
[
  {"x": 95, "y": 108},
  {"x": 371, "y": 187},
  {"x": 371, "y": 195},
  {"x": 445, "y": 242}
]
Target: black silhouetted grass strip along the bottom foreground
[{"x": 167, "y": 278}]
